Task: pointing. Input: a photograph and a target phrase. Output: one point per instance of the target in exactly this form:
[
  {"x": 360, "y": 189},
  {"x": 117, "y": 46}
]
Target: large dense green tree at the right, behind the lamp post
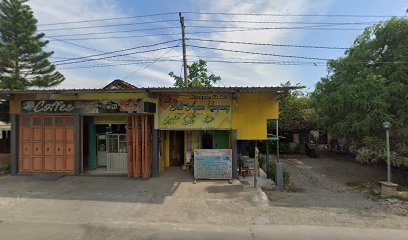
[{"x": 368, "y": 86}]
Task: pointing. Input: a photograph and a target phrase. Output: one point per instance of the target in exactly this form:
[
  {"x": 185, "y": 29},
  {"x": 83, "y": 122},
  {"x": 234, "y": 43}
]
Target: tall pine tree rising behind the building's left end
[{"x": 23, "y": 62}]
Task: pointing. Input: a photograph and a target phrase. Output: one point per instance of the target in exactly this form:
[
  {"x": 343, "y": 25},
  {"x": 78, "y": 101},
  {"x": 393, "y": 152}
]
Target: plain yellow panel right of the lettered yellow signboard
[{"x": 250, "y": 112}]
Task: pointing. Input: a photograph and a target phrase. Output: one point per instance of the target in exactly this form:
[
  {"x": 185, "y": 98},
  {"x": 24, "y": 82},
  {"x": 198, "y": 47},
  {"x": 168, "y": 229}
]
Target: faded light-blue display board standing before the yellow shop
[{"x": 213, "y": 164}]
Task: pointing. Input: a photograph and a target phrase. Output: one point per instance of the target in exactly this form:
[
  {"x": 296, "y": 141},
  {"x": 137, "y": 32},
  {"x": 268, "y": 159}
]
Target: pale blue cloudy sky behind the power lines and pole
[{"x": 96, "y": 74}]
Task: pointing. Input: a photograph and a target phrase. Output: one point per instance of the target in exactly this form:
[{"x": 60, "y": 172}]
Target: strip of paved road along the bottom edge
[{"x": 126, "y": 230}]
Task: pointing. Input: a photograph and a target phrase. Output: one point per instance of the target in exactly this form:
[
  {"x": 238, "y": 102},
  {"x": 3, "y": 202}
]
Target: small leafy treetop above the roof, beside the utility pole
[{"x": 197, "y": 76}]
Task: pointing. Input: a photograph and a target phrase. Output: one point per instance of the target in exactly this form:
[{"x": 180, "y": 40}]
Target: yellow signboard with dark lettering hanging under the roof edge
[{"x": 195, "y": 111}]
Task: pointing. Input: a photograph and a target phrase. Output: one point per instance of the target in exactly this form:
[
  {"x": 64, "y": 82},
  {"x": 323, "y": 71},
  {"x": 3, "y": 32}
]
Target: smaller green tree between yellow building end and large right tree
[{"x": 296, "y": 111}]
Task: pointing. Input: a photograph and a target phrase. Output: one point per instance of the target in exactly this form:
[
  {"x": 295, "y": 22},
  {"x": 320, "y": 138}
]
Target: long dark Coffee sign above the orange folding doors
[{"x": 85, "y": 106}]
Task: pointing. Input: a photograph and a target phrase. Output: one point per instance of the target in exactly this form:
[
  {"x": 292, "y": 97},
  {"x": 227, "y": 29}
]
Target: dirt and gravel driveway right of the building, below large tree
[{"x": 335, "y": 183}]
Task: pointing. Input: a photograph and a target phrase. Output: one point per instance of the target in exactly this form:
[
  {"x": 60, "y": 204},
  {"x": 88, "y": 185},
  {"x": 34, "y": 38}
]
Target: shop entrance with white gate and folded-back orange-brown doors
[{"x": 118, "y": 144}]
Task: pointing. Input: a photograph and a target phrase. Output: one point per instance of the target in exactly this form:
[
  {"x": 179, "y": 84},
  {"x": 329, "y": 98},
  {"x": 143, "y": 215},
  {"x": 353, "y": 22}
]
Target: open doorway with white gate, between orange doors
[{"x": 105, "y": 148}]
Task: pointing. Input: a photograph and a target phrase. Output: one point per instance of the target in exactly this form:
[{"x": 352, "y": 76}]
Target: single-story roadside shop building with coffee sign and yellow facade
[{"x": 135, "y": 131}]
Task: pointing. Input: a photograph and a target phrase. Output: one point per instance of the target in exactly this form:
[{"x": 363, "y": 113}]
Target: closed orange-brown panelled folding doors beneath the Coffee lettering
[{"x": 47, "y": 144}]
